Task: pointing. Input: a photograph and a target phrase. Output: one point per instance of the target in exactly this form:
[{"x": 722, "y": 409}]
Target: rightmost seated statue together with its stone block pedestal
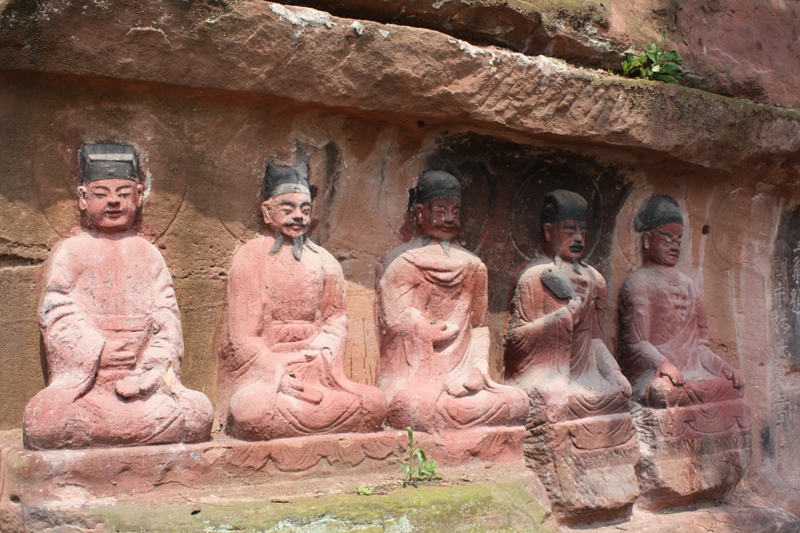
[{"x": 695, "y": 424}]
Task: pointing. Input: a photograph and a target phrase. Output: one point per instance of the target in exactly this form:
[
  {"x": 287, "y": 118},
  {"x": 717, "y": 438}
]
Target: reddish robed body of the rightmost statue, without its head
[{"x": 662, "y": 316}]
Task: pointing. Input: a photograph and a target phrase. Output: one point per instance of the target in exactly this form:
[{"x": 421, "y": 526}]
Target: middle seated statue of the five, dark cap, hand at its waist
[{"x": 433, "y": 312}]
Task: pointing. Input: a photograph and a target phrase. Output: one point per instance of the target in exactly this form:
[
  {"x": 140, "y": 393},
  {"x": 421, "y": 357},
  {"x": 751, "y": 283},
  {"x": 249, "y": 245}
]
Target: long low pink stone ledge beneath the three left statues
[{"x": 76, "y": 476}]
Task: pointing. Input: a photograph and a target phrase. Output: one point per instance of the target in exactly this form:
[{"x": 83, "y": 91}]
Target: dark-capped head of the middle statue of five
[{"x": 436, "y": 205}]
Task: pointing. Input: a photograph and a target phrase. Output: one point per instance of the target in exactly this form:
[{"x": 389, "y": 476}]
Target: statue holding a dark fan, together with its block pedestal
[{"x": 555, "y": 353}]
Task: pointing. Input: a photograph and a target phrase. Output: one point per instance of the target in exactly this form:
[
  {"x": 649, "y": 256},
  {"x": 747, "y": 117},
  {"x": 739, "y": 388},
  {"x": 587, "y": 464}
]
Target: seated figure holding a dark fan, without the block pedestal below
[{"x": 554, "y": 346}]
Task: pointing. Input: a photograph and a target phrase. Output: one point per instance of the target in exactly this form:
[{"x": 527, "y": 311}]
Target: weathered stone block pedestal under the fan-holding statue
[{"x": 587, "y": 467}]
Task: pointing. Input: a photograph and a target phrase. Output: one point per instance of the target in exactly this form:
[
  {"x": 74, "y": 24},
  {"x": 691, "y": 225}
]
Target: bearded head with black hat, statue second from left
[{"x": 287, "y": 208}]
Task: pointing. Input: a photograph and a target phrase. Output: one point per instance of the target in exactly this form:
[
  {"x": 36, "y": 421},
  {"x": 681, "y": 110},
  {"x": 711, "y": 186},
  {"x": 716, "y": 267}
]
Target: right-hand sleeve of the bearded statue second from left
[{"x": 333, "y": 309}]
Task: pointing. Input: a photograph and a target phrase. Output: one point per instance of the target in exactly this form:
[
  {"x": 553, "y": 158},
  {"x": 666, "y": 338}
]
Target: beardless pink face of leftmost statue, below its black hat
[{"x": 110, "y": 204}]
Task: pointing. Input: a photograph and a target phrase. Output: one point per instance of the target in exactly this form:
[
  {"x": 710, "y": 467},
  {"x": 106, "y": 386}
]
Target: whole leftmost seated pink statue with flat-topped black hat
[{"x": 111, "y": 328}]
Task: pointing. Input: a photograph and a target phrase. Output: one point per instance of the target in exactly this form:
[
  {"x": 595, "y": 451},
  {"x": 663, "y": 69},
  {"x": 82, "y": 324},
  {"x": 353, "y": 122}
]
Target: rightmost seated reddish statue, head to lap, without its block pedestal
[{"x": 664, "y": 347}]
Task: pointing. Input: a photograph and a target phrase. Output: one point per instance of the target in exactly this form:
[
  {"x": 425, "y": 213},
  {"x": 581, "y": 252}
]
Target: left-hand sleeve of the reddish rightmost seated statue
[{"x": 639, "y": 357}]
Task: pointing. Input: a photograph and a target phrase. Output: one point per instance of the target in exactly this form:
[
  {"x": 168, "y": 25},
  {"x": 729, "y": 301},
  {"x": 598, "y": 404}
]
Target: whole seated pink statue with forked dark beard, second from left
[{"x": 281, "y": 368}]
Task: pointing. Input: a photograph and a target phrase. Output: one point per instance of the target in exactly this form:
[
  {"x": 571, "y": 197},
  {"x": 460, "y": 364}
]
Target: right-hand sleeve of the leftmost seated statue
[{"x": 166, "y": 342}]
